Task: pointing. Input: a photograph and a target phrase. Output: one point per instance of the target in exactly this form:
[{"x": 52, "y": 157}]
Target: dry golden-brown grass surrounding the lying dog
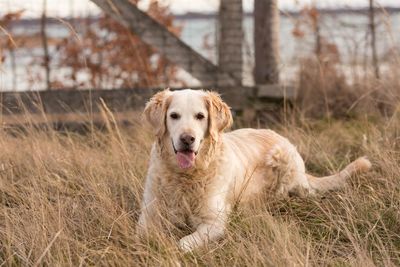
[{"x": 68, "y": 199}]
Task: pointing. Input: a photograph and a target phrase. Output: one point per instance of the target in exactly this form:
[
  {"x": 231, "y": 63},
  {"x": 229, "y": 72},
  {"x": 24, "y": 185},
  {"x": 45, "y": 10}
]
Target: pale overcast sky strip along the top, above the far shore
[{"x": 63, "y": 8}]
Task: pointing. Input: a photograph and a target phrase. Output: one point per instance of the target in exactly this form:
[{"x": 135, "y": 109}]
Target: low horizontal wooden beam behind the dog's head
[{"x": 87, "y": 101}]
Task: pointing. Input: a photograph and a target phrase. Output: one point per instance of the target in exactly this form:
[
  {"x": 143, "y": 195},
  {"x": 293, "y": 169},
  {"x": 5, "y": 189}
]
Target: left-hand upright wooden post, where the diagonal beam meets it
[{"x": 230, "y": 39}]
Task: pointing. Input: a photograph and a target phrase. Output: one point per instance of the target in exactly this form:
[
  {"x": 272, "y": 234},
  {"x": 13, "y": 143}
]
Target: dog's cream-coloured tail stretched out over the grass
[{"x": 336, "y": 181}]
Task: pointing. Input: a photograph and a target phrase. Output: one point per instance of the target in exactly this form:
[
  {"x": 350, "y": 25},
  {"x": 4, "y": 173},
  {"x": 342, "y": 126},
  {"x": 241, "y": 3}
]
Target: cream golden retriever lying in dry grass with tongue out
[{"x": 197, "y": 173}]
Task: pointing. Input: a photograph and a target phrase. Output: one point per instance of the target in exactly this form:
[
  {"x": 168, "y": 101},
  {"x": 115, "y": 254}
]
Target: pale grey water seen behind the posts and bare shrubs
[{"x": 348, "y": 32}]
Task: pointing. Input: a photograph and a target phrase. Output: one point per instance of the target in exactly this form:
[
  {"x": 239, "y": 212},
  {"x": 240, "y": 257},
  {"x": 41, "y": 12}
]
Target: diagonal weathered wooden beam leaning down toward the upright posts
[{"x": 165, "y": 42}]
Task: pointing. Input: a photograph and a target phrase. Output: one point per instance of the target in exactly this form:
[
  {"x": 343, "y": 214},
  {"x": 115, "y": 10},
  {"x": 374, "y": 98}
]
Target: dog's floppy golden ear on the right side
[{"x": 220, "y": 116}]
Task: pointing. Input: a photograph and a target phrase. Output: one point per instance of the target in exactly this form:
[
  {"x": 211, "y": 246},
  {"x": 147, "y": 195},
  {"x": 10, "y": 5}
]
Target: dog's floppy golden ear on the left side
[{"x": 155, "y": 111}]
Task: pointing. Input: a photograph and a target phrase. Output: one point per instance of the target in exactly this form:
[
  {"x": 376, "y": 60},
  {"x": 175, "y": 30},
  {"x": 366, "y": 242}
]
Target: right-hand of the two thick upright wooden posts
[{"x": 266, "y": 41}]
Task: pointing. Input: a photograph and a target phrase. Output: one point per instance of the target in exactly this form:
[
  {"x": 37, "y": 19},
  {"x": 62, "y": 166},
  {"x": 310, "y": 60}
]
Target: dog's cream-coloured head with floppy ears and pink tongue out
[{"x": 183, "y": 120}]
